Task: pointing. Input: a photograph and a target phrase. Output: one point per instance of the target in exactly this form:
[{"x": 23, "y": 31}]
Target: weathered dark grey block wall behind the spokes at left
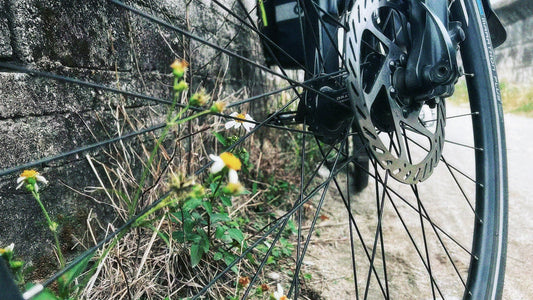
[{"x": 99, "y": 42}]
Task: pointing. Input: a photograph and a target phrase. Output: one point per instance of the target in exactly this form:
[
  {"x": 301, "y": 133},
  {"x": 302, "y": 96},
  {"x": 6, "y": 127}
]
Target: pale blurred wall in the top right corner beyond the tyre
[{"x": 515, "y": 57}]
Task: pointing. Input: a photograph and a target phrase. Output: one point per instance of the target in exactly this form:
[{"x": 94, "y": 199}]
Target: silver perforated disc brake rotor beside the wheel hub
[{"x": 397, "y": 129}]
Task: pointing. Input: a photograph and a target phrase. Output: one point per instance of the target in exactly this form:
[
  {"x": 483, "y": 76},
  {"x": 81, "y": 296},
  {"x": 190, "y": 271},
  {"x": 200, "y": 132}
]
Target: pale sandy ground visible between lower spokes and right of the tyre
[{"x": 329, "y": 260}]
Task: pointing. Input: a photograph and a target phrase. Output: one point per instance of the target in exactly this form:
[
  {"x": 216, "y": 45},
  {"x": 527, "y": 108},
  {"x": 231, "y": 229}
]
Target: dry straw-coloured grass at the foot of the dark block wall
[{"x": 142, "y": 265}]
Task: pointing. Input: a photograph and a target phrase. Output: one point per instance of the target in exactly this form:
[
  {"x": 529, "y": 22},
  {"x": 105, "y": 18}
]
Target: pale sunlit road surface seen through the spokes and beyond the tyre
[{"x": 518, "y": 283}]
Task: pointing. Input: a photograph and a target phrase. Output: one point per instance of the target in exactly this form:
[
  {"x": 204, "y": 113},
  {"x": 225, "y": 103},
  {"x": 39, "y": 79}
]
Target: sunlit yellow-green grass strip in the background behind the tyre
[{"x": 516, "y": 98}]
